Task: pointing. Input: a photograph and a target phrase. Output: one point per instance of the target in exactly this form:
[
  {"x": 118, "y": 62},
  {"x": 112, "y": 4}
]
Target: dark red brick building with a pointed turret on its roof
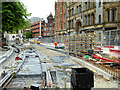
[{"x": 49, "y": 27}]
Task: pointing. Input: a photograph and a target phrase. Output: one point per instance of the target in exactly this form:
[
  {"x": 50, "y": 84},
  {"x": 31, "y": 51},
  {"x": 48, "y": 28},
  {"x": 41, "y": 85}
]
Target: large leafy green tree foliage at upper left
[{"x": 14, "y": 15}]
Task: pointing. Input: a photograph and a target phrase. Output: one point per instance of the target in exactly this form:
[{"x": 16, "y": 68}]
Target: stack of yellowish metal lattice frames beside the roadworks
[{"x": 81, "y": 43}]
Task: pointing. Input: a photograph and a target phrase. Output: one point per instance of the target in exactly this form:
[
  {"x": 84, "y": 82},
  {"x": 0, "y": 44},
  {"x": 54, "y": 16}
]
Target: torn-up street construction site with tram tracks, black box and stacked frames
[{"x": 40, "y": 66}]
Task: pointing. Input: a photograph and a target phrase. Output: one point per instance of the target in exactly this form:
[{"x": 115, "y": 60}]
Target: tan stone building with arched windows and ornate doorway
[{"x": 98, "y": 16}]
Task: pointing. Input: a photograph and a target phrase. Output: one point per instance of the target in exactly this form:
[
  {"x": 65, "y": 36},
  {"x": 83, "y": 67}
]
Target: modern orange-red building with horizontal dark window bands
[{"x": 37, "y": 28}]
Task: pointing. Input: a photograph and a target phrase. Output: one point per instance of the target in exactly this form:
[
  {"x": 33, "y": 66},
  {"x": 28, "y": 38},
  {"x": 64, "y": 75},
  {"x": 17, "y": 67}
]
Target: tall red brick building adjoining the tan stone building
[{"x": 60, "y": 20}]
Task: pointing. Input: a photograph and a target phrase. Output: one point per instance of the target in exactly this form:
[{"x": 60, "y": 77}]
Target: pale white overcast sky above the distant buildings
[{"x": 40, "y": 8}]
